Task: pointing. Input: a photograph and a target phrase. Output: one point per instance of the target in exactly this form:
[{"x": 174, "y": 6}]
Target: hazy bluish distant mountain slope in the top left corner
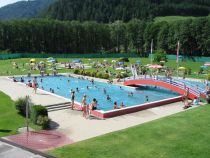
[{"x": 24, "y": 9}]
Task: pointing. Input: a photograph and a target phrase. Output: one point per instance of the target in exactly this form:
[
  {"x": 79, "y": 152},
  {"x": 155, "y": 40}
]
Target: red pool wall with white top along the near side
[{"x": 117, "y": 112}]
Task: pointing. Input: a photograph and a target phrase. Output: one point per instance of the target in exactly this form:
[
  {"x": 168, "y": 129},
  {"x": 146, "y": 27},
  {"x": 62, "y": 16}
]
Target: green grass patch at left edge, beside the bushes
[{"x": 10, "y": 120}]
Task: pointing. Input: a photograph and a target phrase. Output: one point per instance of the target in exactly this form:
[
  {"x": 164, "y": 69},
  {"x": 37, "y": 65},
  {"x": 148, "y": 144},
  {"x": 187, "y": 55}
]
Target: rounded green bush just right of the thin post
[{"x": 36, "y": 111}]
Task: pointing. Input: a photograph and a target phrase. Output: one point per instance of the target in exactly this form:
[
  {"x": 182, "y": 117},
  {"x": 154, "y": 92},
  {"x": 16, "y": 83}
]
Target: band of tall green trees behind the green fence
[{"x": 53, "y": 36}]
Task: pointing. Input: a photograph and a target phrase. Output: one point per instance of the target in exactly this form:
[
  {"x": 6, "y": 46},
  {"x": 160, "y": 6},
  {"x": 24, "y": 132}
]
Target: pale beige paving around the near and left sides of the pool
[{"x": 76, "y": 127}]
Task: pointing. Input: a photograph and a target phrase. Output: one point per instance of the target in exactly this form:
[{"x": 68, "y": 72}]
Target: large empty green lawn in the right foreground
[{"x": 182, "y": 135}]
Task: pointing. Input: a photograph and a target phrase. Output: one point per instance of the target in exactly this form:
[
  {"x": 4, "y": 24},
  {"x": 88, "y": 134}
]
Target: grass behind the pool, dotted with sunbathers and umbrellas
[{"x": 7, "y": 69}]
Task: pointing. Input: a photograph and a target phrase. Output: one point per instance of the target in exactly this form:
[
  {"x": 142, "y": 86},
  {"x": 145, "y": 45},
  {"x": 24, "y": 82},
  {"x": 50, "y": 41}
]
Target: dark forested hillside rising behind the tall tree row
[{"x": 112, "y": 10}]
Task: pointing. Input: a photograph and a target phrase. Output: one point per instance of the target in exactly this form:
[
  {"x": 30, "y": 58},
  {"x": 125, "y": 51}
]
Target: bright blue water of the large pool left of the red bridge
[{"x": 63, "y": 84}]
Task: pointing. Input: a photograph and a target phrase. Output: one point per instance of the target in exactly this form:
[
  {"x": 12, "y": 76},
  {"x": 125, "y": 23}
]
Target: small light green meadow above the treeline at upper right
[{"x": 173, "y": 18}]
